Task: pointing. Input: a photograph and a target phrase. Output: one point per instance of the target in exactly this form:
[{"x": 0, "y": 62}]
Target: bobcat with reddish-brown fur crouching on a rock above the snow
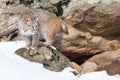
[{"x": 40, "y": 27}]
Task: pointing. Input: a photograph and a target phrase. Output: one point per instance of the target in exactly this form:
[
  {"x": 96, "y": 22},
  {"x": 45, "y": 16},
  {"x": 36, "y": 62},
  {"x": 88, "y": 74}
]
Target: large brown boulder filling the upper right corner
[{"x": 100, "y": 17}]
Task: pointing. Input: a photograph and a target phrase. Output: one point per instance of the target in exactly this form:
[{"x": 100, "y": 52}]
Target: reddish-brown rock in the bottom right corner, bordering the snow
[{"x": 108, "y": 60}]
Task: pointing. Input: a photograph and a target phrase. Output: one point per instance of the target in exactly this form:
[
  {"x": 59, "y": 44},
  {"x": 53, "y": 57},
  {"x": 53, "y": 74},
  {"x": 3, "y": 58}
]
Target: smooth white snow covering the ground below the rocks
[{"x": 14, "y": 67}]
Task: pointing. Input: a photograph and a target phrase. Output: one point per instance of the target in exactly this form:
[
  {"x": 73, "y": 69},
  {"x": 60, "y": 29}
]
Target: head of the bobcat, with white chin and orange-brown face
[{"x": 28, "y": 24}]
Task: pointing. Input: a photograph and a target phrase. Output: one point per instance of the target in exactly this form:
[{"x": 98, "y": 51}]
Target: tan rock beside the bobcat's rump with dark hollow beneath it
[{"x": 78, "y": 45}]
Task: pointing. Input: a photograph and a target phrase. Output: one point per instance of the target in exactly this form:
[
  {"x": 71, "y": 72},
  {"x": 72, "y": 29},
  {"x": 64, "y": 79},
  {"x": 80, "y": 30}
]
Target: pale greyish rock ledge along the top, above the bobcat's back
[{"x": 18, "y": 6}]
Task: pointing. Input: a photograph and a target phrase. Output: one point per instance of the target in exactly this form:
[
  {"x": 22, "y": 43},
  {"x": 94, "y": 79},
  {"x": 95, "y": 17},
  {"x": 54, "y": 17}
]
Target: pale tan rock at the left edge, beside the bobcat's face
[{"x": 8, "y": 24}]
